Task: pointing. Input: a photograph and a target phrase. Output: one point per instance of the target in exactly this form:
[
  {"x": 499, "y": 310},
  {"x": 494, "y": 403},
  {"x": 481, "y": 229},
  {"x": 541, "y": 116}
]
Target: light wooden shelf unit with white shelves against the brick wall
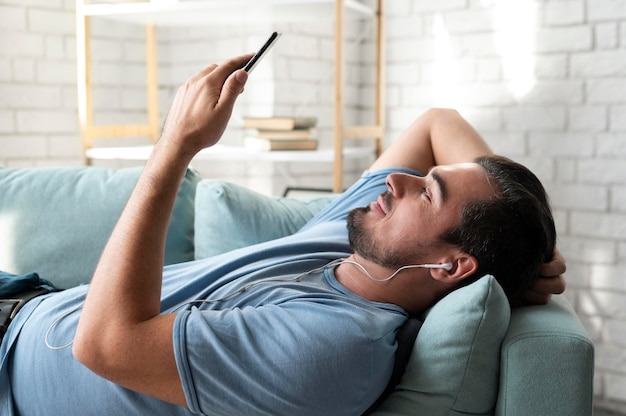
[{"x": 195, "y": 12}]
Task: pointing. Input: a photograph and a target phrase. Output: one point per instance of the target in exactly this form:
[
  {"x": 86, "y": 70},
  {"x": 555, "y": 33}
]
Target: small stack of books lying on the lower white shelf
[{"x": 280, "y": 133}]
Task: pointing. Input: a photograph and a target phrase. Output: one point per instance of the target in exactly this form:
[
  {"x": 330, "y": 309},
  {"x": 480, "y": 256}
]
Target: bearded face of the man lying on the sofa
[{"x": 403, "y": 226}]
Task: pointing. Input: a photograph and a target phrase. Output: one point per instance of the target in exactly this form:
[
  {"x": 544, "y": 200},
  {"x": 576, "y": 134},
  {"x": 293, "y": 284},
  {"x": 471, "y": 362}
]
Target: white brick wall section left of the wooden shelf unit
[{"x": 37, "y": 83}]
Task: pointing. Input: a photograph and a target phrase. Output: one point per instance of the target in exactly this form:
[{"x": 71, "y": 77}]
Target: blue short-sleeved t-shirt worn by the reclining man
[{"x": 270, "y": 343}]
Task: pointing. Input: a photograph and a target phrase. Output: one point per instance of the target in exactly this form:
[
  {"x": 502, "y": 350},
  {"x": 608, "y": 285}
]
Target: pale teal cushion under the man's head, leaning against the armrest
[{"x": 454, "y": 367}]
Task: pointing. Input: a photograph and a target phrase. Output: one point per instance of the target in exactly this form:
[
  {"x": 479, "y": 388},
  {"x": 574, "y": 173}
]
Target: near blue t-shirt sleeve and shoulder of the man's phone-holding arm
[{"x": 279, "y": 359}]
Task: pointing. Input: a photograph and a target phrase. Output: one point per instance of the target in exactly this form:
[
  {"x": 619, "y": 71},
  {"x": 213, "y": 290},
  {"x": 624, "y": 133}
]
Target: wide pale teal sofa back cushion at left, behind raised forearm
[{"x": 56, "y": 221}]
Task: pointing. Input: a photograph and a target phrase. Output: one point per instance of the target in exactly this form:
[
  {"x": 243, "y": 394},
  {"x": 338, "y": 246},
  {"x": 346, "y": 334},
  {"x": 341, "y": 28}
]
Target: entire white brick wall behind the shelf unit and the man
[{"x": 569, "y": 125}]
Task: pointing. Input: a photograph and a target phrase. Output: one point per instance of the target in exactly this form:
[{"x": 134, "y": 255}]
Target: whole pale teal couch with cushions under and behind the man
[{"x": 472, "y": 356}]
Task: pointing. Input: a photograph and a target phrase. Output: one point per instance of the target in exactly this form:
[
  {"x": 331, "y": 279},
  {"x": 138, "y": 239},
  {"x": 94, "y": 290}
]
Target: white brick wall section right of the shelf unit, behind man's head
[{"x": 568, "y": 127}]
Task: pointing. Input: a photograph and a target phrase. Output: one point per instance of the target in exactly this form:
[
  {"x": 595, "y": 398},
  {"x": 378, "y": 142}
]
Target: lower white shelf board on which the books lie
[{"x": 231, "y": 153}]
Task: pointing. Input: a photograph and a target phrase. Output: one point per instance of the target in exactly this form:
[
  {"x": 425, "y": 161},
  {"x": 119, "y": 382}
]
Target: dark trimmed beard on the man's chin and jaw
[{"x": 363, "y": 242}]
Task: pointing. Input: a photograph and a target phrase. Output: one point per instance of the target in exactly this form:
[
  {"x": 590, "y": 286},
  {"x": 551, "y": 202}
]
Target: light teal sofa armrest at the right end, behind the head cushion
[{"x": 547, "y": 363}]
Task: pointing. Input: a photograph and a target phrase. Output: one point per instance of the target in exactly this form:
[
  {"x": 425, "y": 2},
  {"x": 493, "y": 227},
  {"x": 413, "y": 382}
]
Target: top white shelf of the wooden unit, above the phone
[{"x": 203, "y": 12}]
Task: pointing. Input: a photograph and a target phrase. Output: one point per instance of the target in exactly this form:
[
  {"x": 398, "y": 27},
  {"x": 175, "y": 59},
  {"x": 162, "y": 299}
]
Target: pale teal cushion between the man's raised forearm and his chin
[{"x": 229, "y": 216}]
